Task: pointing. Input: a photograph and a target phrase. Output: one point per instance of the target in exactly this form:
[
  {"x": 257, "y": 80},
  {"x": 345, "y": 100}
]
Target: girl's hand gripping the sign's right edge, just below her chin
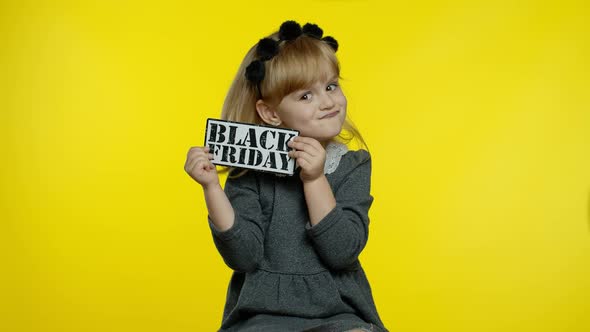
[{"x": 310, "y": 155}]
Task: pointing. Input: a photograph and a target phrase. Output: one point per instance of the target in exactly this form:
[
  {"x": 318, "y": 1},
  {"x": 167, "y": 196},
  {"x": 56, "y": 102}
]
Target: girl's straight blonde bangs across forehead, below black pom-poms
[{"x": 299, "y": 65}]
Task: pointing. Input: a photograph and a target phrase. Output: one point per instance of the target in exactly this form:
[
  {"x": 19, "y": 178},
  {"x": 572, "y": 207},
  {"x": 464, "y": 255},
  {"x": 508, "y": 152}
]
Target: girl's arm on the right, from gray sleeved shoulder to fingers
[{"x": 339, "y": 217}]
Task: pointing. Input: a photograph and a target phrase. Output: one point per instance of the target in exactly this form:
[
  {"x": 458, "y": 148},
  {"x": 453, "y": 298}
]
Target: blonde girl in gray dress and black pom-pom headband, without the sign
[{"x": 293, "y": 242}]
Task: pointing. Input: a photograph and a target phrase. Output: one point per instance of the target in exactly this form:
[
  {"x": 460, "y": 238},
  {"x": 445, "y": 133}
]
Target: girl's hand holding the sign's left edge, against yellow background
[{"x": 198, "y": 165}]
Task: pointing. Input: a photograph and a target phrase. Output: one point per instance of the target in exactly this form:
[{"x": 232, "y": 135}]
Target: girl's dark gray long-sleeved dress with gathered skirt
[{"x": 287, "y": 275}]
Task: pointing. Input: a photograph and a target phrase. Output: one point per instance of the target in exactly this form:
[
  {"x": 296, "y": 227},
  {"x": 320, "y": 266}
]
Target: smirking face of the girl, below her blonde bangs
[{"x": 317, "y": 112}]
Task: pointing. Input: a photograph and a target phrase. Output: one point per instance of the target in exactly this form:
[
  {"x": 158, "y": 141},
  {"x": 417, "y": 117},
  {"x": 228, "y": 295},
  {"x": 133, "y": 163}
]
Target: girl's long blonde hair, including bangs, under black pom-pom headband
[{"x": 298, "y": 64}]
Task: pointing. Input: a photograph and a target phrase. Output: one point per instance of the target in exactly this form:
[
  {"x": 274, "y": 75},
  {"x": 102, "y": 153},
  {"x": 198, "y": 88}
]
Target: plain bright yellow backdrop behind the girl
[{"x": 477, "y": 114}]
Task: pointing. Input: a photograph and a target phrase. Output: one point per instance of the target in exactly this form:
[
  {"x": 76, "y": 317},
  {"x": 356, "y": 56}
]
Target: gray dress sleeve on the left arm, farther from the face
[{"x": 242, "y": 245}]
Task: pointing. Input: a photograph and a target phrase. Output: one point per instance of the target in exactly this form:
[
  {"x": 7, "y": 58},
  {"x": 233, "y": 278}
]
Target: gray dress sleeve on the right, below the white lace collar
[{"x": 342, "y": 234}]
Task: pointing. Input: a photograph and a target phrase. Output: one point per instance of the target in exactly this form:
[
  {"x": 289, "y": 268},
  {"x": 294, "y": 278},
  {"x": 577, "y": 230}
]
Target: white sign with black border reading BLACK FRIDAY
[{"x": 250, "y": 146}]
